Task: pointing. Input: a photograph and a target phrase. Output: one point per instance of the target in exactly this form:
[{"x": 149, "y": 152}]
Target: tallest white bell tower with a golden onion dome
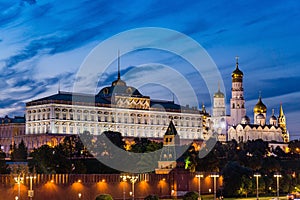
[{"x": 237, "y": 101}]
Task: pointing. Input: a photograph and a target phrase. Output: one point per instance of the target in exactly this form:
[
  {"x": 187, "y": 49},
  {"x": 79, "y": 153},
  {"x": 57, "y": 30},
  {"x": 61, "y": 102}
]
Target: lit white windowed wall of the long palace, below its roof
[{"x": 62, "y": 118}]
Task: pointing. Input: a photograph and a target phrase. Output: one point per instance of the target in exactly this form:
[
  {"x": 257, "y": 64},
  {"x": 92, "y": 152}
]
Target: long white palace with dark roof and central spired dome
[{"x": 117, "y": 107}]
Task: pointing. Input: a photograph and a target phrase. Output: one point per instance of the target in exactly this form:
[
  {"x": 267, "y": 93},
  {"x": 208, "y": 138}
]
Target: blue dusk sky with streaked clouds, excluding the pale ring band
[{"x": 44, "y": 43}]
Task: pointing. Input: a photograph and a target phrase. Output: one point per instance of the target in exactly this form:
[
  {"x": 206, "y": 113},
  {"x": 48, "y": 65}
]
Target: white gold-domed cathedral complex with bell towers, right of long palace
[{"x": 237, "y": 126}]
